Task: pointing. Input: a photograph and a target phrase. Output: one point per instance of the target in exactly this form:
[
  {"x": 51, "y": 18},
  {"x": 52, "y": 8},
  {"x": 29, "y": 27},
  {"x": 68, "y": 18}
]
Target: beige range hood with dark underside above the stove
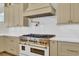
[{"x": 47, "y": 10}]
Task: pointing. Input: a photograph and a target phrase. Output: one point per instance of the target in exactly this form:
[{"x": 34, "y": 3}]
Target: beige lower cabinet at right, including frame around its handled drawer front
[{"x": 68, "y": 49}]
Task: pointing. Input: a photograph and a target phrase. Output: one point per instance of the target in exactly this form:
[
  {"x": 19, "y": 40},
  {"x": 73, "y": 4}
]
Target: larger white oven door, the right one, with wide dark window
[{"x": 38, "y": 51}]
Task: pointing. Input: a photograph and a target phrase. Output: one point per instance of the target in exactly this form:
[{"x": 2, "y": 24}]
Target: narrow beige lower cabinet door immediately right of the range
[{"x": 53, "y": 48}]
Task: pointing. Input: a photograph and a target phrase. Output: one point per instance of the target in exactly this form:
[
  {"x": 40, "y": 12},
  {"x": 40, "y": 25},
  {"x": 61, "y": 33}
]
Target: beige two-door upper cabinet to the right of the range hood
[{"x": 67, "y": 13}]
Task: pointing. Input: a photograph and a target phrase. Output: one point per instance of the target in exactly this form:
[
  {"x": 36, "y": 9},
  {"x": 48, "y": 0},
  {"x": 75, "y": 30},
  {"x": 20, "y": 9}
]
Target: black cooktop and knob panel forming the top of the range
[{"x": 37, "y": 39}]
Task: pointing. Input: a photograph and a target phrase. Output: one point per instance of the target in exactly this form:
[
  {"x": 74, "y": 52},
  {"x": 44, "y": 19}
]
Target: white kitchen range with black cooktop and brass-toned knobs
[{"x": 34, "y": 45}]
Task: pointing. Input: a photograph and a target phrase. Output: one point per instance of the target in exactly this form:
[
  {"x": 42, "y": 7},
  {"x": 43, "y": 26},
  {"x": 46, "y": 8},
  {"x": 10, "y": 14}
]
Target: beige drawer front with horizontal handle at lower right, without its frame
[{"x": 71, "y": 49}]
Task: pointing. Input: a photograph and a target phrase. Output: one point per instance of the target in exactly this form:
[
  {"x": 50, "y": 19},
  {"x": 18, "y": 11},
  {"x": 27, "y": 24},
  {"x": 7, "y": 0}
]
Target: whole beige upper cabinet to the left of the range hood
[{"x": 14, "y": 15}]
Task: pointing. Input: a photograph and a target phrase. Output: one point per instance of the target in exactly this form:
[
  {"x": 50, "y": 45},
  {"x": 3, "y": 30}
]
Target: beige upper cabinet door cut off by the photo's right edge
[{"x": 75, "y": 12}]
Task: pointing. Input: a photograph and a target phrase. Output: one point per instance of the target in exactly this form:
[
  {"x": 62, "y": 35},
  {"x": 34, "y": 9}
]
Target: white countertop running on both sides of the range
[{"x": 68, "y": 39}]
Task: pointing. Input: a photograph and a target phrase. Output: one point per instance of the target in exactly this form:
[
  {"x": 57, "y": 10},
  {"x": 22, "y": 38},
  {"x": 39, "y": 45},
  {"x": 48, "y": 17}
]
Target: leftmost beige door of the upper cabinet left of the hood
[{"x": 8, "y": 16}]
